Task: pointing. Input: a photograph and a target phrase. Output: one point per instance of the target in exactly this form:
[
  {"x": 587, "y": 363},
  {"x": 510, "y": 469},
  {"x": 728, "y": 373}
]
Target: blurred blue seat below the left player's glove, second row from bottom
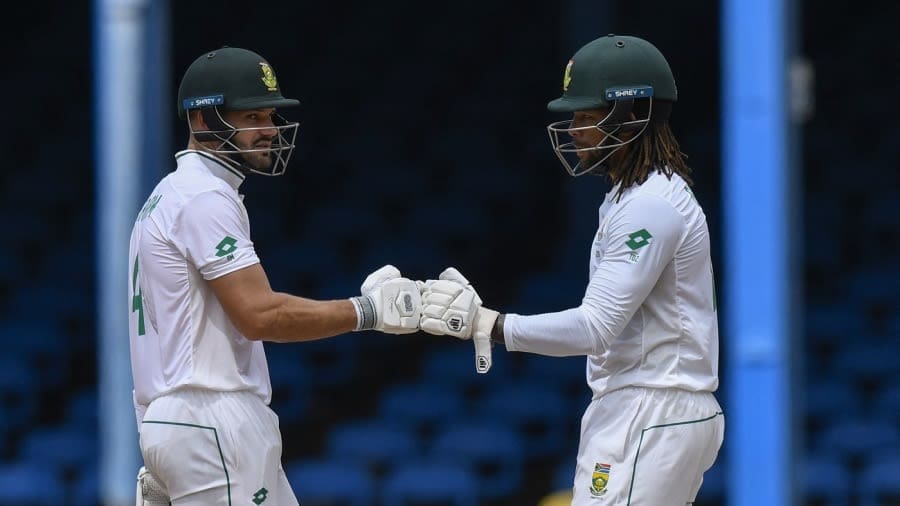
[{"x": 378, "y": 444}]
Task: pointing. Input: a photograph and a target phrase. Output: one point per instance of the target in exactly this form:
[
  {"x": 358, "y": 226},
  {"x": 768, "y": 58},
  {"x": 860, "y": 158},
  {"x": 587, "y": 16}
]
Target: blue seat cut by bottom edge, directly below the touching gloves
[{"x": 430, "y": 482}]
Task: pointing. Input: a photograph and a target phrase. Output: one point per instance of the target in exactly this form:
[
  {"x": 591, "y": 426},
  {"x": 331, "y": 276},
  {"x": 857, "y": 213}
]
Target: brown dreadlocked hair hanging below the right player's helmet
[{"x": 655, "y": 150}]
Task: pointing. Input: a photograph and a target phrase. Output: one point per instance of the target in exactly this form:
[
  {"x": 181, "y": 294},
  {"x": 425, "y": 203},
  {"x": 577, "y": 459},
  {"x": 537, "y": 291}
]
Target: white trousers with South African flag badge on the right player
[{"x": 646, "y": 447}]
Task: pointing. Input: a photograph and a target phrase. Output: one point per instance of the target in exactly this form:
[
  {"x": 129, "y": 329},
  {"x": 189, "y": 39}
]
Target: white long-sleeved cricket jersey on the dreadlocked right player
[{"x": 648, "y": 317}]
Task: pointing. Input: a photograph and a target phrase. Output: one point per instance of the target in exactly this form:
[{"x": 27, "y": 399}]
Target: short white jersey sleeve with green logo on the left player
[{"x": 214, "y": 234}]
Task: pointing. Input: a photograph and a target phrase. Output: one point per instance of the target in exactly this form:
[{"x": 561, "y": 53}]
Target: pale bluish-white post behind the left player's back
[{"x": 118, "y": 68}]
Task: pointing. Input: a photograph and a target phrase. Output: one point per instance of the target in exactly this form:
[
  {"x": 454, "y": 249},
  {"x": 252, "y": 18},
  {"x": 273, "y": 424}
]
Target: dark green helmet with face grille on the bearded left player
[{"x": 235, "y": 79}]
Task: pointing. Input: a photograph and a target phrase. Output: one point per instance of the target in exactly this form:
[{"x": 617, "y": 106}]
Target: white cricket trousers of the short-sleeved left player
[{"x": 215, "y": 448}]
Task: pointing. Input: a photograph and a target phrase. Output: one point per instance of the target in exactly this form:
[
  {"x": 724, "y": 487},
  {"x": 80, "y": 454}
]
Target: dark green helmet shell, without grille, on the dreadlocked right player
[{"x": 614, "y": 63}]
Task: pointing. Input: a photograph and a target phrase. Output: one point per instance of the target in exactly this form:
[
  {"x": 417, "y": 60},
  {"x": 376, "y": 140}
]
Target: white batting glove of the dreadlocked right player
[{"x": 451, "y": 306}]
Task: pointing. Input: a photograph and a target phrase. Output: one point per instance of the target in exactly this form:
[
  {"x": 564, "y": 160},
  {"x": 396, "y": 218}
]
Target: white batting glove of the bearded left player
[{"x": 389, "y": 303}]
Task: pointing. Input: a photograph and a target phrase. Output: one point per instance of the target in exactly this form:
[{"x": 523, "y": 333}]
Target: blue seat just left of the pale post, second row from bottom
[{"x": 63, "y": 449}]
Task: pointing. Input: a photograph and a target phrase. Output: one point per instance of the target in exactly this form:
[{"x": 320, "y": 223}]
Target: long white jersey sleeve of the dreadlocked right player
[{"x": 642, "y": 237}]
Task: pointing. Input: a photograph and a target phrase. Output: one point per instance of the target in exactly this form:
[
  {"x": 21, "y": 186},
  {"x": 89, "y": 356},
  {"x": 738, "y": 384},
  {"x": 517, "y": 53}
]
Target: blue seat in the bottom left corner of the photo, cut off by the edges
[{"x": 30, "y": 484}]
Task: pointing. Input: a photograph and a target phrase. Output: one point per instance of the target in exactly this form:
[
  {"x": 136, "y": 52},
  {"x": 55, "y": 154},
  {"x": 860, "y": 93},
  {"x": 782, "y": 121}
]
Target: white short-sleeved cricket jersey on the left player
[{"x": 193, "y": 227}]
